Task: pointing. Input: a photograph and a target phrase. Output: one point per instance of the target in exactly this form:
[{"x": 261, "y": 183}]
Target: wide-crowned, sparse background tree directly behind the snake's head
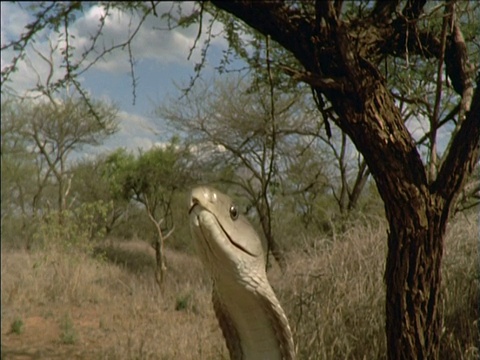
[{"x": 249, "y": 139}]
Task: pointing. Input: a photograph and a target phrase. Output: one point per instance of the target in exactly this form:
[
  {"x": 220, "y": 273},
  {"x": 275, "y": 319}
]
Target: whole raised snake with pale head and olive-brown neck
[{"x": 252, "y": 321}]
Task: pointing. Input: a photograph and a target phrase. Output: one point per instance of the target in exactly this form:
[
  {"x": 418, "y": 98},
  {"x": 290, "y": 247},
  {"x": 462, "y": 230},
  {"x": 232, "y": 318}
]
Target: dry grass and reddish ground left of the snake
[{"x": 115, "y": 311}]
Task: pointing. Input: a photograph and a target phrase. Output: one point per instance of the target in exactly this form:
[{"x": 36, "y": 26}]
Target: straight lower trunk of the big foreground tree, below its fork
[{"x": 413, "y": 278}]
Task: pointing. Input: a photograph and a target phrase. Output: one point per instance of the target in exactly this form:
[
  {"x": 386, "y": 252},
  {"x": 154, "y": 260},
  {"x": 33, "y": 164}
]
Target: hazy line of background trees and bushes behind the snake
[{"x": 228, "y": 143}]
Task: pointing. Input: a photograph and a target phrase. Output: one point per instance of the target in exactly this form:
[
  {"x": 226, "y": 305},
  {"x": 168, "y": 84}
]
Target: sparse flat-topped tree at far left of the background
[{"x": 51, "y": 131}]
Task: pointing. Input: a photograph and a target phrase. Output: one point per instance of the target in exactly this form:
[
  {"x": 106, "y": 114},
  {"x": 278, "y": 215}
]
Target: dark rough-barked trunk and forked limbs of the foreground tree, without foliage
[{"x": 417, "y": 210}]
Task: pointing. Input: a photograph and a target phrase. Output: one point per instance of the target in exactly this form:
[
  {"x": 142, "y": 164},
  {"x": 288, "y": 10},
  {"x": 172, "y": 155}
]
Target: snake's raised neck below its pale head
[{"x": 253, "y": 322}]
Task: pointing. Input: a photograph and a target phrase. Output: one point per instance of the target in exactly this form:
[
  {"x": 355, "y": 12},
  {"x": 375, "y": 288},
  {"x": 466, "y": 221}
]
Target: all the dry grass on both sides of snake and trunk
[{"x": 74, "y": 306}]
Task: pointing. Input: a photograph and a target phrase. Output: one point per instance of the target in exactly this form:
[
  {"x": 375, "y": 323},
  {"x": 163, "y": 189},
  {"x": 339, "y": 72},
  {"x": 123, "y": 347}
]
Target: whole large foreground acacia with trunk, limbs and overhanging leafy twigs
[{"x": 339, "y": 49}]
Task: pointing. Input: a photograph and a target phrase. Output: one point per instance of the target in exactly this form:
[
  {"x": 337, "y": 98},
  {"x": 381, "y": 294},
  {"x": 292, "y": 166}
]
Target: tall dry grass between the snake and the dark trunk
[{"x": 335, "y": 297}]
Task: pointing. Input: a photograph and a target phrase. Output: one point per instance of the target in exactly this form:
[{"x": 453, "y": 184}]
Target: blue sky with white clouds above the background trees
[{"x": 162, "y": 65}]
